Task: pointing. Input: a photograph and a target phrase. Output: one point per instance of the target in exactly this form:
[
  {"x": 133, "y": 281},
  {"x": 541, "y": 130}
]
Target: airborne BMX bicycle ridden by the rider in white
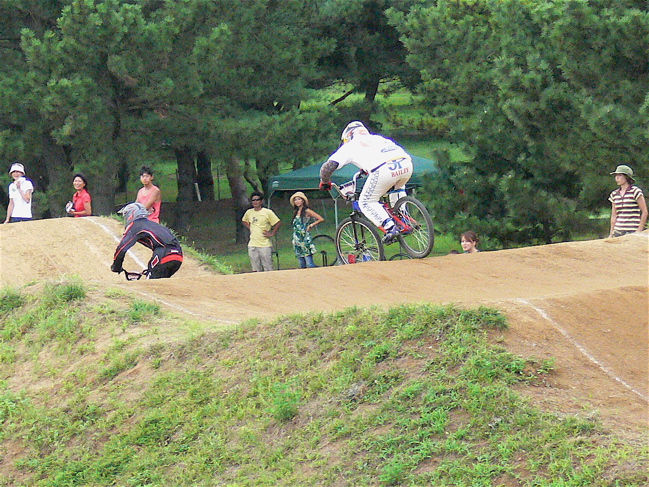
[{"x": 359, "y": 240}]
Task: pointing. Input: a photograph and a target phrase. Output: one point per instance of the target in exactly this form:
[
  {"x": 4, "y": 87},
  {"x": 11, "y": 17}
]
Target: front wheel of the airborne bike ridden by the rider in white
[{"x": 357, "y": 240}]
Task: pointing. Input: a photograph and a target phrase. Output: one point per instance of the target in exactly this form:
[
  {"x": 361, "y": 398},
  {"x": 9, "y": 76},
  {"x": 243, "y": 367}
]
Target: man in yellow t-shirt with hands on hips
[{"x": 263, "y": 224}]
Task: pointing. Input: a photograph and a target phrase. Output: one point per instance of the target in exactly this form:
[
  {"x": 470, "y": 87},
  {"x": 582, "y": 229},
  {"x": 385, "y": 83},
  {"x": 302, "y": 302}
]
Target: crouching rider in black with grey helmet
[{"x": 167, "y": 254}]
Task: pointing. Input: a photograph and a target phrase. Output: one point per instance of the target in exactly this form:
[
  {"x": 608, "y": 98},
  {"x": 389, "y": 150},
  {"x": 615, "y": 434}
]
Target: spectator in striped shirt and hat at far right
[{"x": 629, "y": 208}]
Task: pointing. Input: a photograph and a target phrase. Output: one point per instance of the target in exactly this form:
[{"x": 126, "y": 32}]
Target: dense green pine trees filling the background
[{"x": 546, "y": 98}]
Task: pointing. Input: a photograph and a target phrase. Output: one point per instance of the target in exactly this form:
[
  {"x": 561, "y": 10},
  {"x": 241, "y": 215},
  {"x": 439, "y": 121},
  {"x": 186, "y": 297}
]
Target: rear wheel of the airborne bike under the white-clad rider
[{"x": 417, "y": 243}]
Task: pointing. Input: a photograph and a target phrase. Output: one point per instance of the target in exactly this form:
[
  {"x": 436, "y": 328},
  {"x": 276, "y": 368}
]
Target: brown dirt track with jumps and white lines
[{"x": 584, "y": 303}]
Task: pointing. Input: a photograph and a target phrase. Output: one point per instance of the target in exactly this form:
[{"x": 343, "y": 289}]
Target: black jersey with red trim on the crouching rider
[{"x": 150, "y": 234}]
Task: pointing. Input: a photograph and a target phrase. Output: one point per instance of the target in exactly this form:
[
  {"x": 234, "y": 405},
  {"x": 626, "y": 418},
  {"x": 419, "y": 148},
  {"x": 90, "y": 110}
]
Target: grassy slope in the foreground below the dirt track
[{"x": 415, "y": 395}]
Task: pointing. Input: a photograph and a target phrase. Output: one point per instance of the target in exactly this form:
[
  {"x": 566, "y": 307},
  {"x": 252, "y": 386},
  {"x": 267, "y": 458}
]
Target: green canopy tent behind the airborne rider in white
[{"x": 308, "y": 178}]
